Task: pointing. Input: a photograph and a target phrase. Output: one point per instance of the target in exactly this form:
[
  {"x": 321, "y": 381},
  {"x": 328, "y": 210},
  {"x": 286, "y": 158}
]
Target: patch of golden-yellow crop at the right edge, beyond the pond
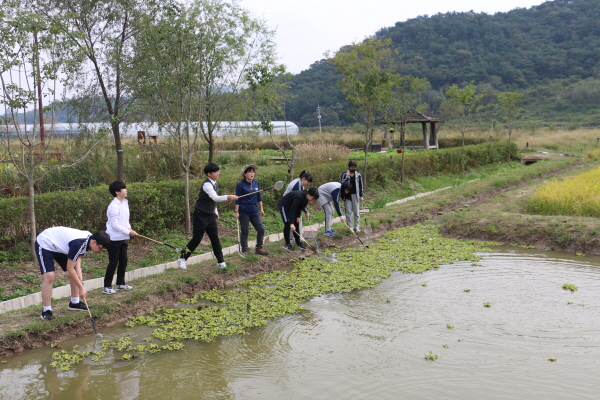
[{"x": 576, "y": 196}]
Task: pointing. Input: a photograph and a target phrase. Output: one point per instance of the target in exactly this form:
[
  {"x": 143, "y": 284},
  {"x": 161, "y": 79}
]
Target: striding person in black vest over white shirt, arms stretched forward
[{"x": 205, "y": 217}]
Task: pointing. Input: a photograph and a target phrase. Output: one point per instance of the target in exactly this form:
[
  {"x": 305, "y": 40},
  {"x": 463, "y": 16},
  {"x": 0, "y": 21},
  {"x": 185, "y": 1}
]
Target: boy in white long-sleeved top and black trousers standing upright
[{"x": 119, "y": 230}]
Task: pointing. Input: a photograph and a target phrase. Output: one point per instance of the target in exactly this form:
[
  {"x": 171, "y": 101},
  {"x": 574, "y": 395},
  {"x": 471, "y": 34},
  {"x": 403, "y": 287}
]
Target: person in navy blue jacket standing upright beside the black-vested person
[{"x": 249, "y": 209}]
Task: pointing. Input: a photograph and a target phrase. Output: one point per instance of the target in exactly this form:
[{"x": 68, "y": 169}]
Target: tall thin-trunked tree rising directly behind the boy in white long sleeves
[{"x": 103, "y": 30}]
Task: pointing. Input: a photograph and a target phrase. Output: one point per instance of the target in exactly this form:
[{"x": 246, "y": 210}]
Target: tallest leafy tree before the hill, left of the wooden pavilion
[{"x": 367, "y": 80}]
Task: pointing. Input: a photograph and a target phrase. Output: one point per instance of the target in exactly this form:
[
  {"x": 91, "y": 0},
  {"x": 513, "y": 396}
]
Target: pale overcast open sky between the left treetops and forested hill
[{"x": 306, "y": 29}]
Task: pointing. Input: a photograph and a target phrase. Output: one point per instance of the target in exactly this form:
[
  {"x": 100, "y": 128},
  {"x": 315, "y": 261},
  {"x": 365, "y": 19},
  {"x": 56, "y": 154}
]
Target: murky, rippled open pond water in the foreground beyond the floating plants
[{"x": 372, "y": 343}]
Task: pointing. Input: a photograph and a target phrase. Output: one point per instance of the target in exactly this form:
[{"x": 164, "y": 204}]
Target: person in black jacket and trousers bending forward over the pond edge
[{"x": 290, "y": 207}]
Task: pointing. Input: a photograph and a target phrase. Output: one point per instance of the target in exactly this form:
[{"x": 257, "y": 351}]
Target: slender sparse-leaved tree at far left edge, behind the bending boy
[{"x": 32, "y": 57}]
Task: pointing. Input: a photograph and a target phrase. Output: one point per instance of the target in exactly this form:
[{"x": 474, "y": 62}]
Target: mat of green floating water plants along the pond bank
[{"x": 255, "y": 302}]
